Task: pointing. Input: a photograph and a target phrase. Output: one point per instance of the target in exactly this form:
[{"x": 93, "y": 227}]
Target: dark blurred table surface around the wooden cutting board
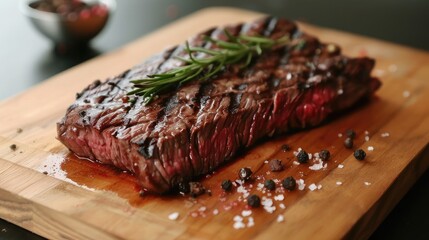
[{"x": 27, "y": 59}]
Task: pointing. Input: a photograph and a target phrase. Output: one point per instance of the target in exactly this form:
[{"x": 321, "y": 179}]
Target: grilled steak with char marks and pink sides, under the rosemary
[{"x": 192, "y": 130}]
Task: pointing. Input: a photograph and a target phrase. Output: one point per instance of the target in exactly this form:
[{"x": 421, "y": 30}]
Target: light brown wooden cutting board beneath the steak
[{"x": 82, "y": 200}]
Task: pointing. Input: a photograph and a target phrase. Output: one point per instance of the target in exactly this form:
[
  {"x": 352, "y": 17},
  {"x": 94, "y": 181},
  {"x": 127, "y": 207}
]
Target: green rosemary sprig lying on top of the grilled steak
[{"x": 236, "y": 50}]
